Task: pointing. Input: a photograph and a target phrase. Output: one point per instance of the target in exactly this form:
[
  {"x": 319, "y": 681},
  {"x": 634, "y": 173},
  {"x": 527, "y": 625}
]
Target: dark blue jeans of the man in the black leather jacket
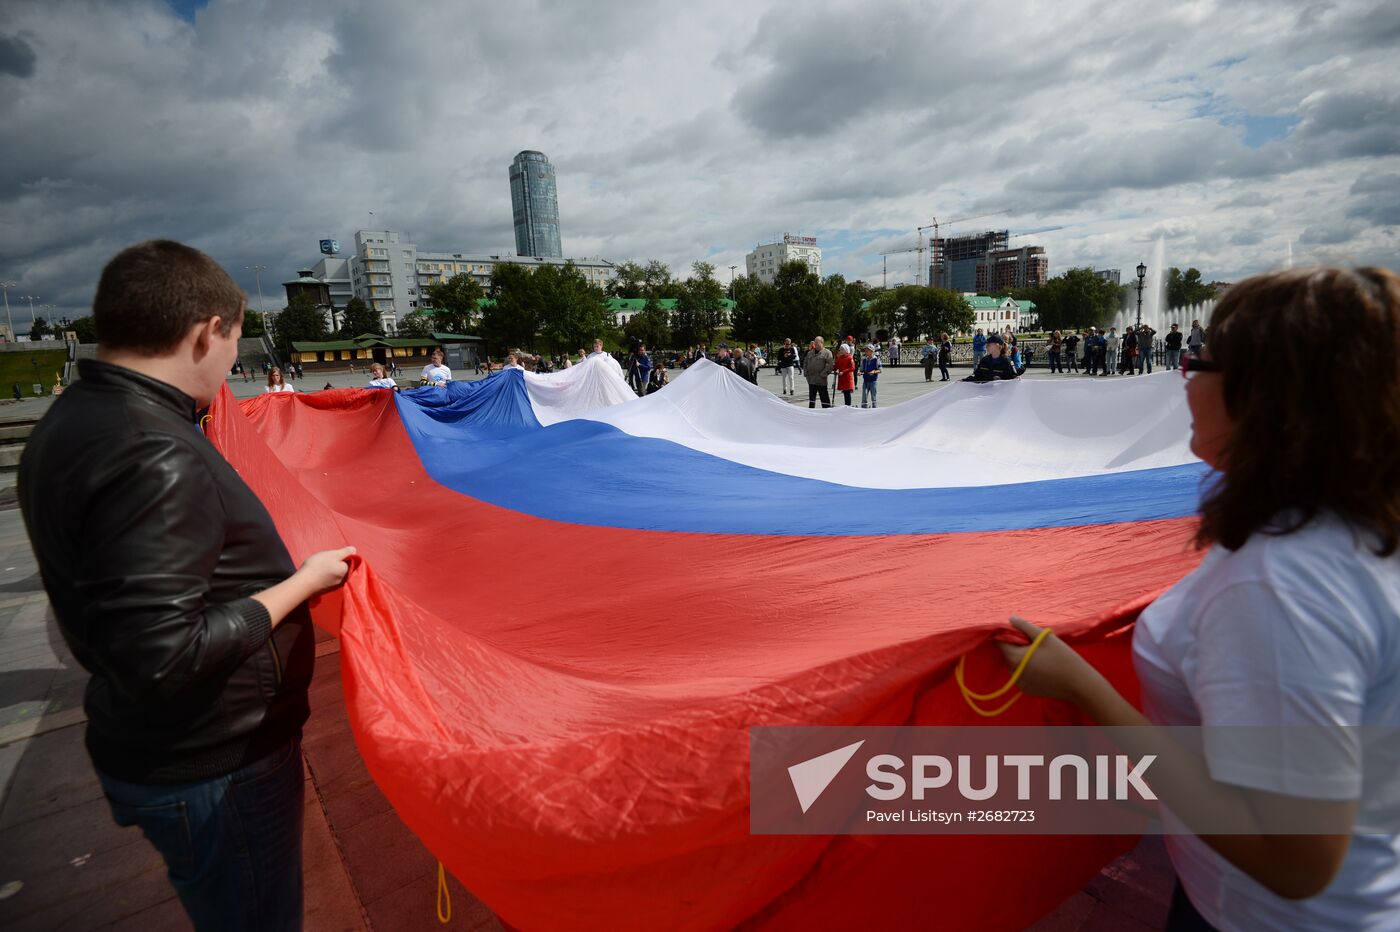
[{"x": 232, "y": 845}]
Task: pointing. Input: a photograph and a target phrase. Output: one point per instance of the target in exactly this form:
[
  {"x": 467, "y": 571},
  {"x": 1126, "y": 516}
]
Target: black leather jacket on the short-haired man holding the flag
[{"x": 150, "y": 546}]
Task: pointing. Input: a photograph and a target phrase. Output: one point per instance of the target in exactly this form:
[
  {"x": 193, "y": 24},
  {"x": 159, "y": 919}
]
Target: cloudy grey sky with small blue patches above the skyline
[{"x": 1234, "y": 131}]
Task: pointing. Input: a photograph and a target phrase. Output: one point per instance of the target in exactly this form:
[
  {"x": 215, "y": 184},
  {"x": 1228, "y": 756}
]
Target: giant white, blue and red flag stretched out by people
[{"x": 572, "y": 604}]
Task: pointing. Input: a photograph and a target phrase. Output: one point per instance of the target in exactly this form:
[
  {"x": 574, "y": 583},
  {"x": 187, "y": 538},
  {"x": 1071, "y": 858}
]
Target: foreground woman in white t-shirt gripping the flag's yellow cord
[{"x": 1291, "y": 621}]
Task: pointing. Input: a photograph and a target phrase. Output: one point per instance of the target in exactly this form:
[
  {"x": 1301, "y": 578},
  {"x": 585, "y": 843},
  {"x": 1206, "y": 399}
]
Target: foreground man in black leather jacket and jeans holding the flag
[{"x": 174, "y": 591}]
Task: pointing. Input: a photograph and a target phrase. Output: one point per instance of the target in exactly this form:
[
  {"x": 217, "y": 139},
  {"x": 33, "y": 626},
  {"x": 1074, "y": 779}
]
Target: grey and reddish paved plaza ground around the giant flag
[{"x": 64, "y": 864}]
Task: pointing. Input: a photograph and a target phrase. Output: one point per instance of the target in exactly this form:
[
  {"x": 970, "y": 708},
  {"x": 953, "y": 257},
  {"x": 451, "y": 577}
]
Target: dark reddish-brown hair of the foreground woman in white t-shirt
[{"x": 1311, "y": 367}]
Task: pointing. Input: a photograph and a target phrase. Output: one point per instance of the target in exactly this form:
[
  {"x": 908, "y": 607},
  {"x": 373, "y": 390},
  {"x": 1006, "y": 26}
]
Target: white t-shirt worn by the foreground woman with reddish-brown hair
[{"x": 1301, "y": 629}]
